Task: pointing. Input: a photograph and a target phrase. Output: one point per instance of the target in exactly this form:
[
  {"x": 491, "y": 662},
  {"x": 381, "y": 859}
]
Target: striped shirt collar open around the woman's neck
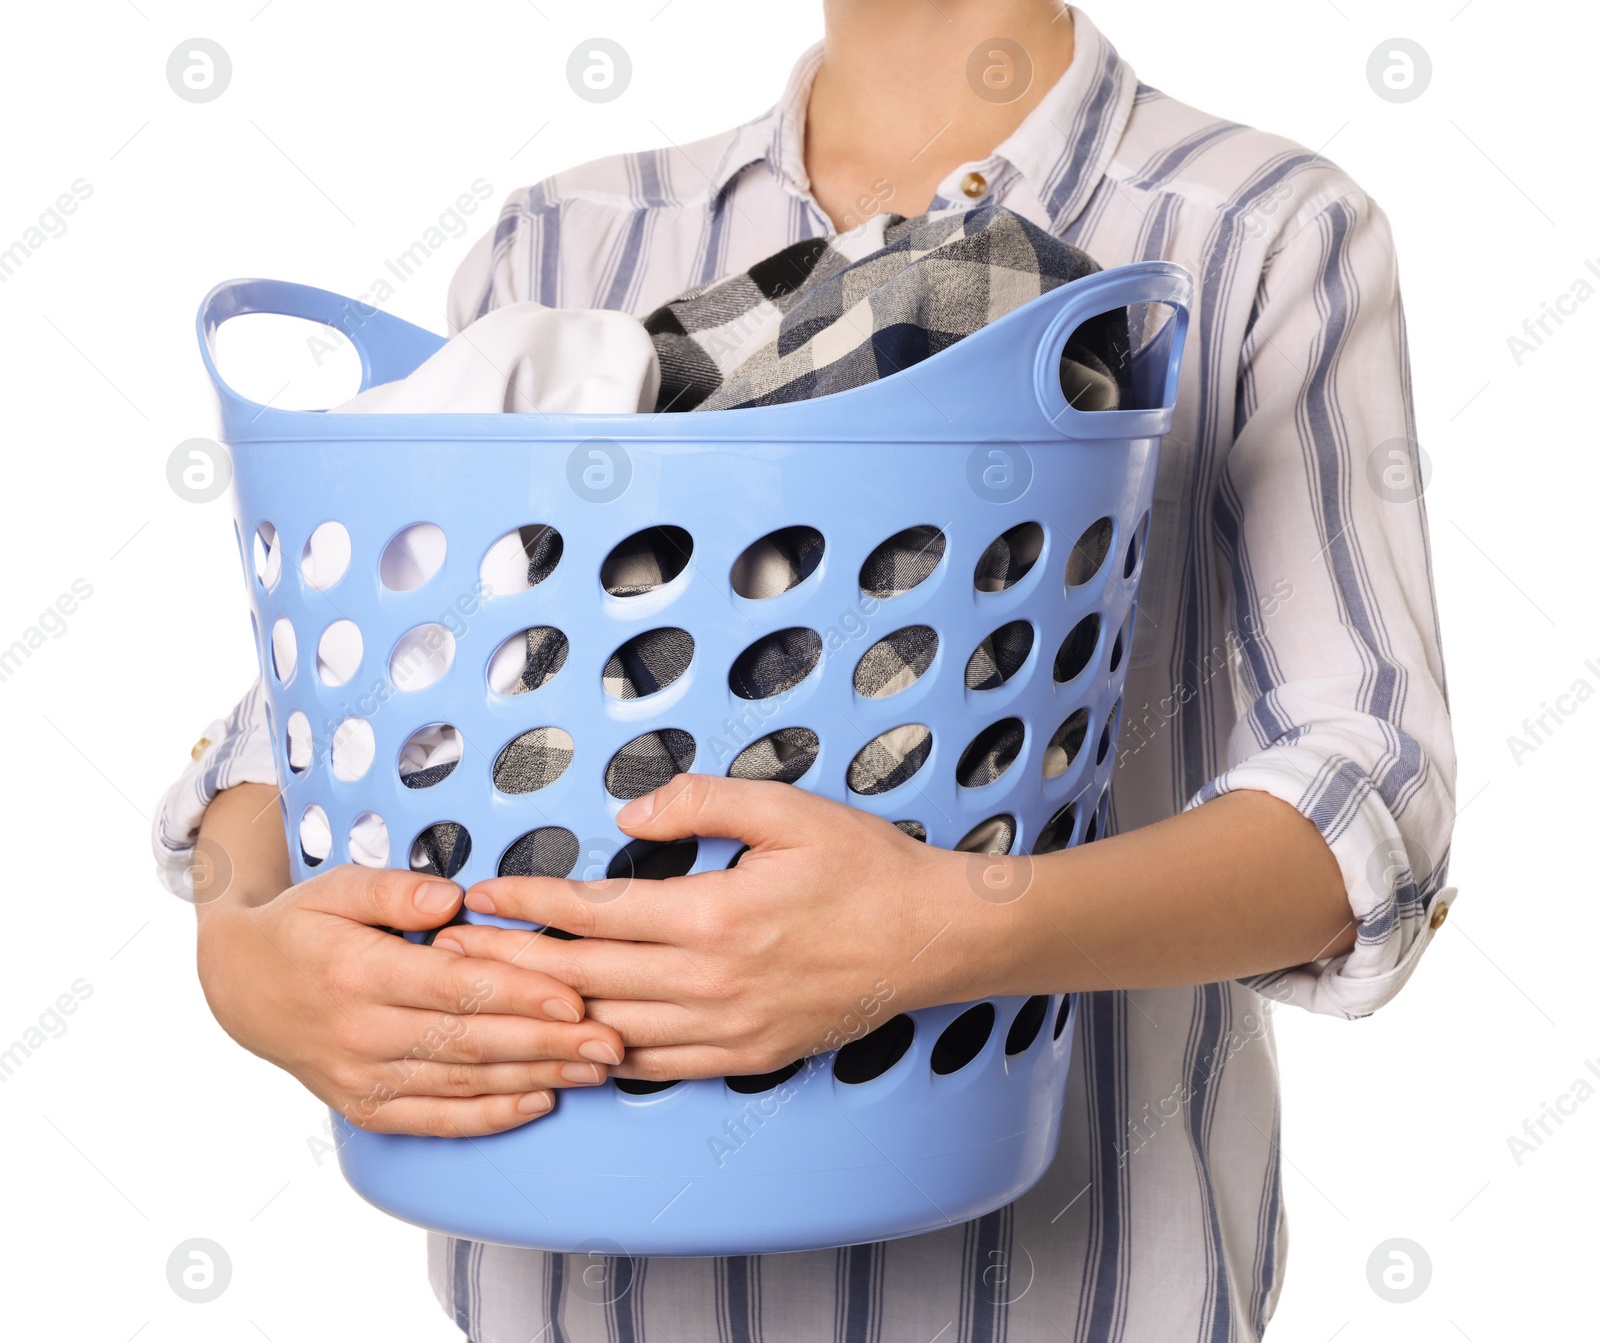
[{"x": 1062, "y": 150}]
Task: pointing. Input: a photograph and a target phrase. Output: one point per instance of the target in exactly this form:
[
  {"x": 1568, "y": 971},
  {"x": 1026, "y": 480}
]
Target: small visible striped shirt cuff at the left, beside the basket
[{"x": 231, "y": 752}]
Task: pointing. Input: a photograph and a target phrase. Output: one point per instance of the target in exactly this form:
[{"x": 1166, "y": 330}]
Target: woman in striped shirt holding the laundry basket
[{"x": 1284, "y": 796}]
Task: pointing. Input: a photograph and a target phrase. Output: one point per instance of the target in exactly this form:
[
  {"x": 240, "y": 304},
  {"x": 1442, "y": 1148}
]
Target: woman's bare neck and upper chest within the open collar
[{"x": 910, "y": 90}]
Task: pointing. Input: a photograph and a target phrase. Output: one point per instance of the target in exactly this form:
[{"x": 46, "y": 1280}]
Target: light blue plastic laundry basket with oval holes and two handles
[{"x": 927, "y": 1120}]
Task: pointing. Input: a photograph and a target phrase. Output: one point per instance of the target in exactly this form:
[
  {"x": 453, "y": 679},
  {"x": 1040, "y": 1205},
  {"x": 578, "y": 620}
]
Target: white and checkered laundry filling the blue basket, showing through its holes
[{"x": 818, "y": 318}]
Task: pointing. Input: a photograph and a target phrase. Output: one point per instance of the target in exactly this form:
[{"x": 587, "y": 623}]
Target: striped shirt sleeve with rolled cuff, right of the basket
[{"x": 1337, "y": 655}]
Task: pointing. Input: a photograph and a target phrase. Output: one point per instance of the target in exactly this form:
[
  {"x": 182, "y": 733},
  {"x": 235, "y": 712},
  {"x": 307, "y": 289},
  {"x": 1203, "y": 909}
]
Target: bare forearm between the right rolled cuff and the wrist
[{"x": 1241, "y": 886}]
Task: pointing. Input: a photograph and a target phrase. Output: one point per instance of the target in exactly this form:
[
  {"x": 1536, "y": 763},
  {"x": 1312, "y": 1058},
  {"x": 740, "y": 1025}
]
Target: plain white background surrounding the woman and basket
[{"x": 346, "y": 130}]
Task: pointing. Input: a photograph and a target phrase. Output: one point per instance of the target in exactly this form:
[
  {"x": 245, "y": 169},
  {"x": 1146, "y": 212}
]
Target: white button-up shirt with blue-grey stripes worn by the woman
[{"x": 1287, "y": 643}]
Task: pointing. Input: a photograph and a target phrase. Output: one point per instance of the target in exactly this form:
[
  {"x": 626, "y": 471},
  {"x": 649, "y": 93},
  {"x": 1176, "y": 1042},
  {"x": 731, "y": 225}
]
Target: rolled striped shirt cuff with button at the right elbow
[{"x": 1393, "y": 876}]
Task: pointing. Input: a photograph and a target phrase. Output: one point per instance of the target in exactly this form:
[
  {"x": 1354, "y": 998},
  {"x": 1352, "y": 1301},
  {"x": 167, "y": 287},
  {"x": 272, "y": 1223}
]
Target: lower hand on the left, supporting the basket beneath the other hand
[{"x": 396, "y": 1036}]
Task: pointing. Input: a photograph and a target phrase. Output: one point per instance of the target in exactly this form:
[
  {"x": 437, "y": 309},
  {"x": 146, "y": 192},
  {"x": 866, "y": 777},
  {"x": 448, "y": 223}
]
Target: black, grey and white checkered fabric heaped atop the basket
[{"x": 830, "y": 315}]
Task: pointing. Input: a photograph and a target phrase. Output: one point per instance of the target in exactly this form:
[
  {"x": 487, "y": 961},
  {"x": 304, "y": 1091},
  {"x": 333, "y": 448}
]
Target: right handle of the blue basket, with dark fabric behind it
[{"x": 1158, "y": 364}]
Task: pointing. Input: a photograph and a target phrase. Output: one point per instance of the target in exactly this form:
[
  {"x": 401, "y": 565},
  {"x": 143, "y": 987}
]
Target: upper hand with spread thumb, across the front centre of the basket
[{"x": 831, "y": 923}]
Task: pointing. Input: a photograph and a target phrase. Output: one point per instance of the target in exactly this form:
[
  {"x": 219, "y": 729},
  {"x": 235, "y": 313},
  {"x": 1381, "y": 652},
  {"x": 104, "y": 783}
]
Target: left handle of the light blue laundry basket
[{"x": 390, "y": 347}]
